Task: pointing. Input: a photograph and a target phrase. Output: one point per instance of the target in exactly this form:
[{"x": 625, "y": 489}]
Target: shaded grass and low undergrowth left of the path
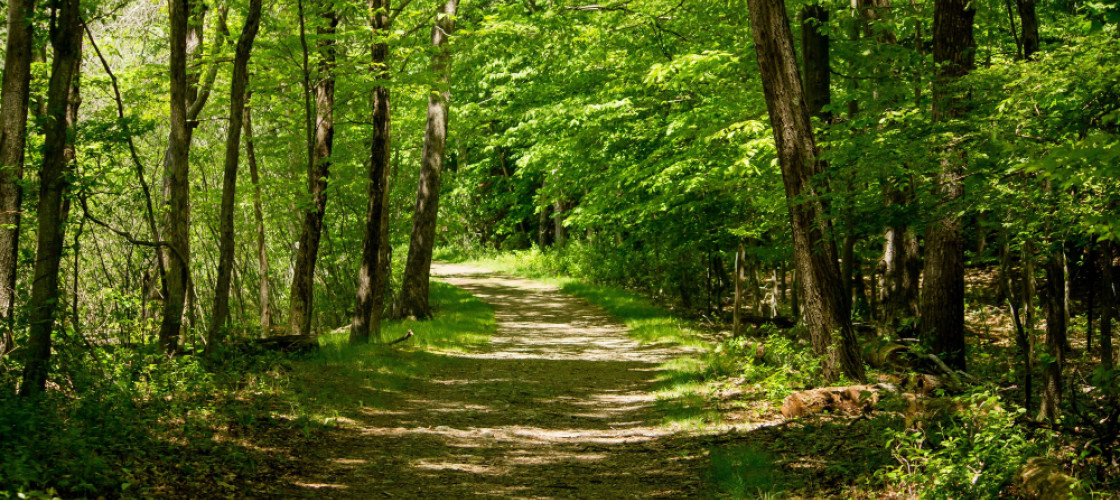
[{"x": 134, "y": 423}]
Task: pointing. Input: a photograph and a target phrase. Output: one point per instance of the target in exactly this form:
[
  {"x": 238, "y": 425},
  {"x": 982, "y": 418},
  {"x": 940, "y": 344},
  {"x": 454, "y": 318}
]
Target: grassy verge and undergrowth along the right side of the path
[{"x": 733, "y": 387}]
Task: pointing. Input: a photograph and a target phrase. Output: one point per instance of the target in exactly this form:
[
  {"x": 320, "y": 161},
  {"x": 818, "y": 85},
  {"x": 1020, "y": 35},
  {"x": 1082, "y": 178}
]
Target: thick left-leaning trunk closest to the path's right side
[{"x": 826, "y": 310}]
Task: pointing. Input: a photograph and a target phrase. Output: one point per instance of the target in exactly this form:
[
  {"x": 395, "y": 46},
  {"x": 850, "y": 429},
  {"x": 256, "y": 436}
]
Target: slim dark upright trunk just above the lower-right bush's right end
[{"x": 1056, "y": 334}]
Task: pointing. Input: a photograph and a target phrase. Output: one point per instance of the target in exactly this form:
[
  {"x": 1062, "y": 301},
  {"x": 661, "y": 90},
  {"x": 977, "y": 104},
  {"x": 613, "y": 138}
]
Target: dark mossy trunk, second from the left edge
[{"x": 63, "y": 100}]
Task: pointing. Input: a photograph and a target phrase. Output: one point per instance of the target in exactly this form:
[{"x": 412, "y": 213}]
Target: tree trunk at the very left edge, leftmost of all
[{"x": 14, "y": 101}]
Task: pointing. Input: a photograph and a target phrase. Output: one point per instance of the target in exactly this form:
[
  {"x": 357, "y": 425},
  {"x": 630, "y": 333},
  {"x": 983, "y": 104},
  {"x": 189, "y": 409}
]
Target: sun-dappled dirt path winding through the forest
[{"x": 558, "y": 405}]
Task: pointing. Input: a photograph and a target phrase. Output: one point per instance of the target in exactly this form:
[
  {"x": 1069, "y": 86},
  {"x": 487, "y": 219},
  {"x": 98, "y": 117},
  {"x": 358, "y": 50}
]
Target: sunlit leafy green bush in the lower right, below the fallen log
[{"x": 974, "y": 453}]
